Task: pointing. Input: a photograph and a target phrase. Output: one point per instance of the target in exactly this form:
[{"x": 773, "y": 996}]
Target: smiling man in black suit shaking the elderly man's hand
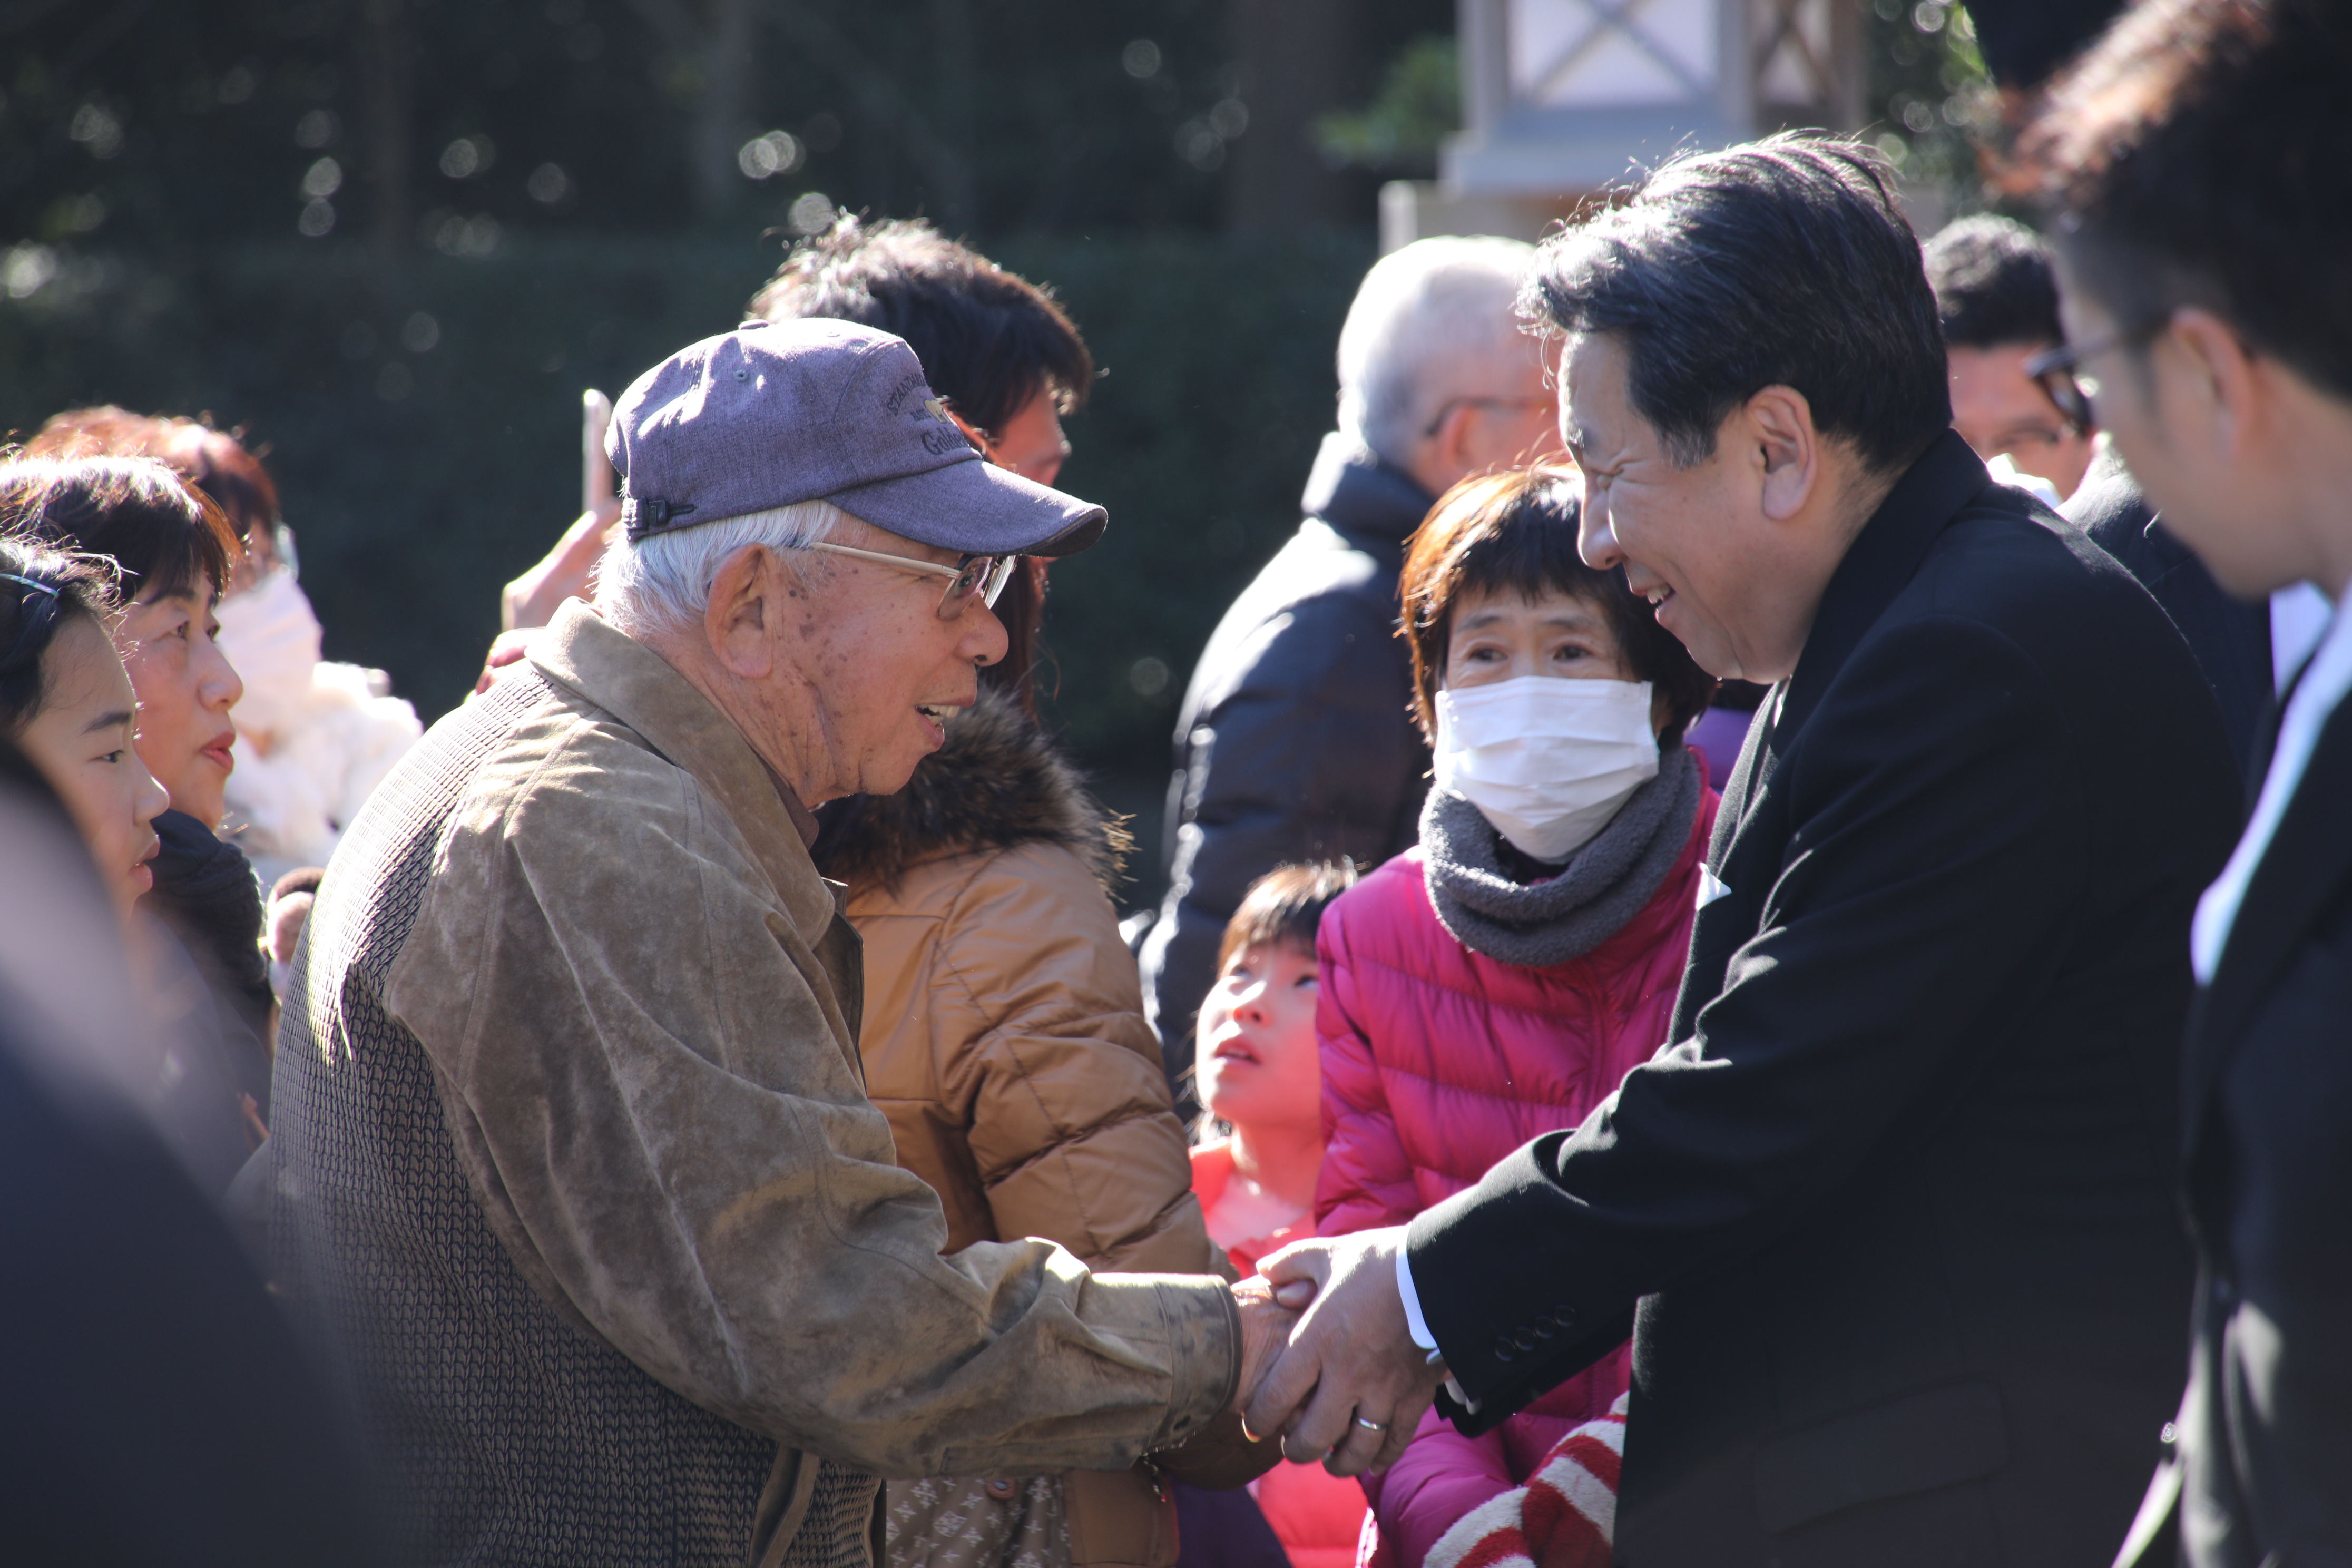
[{"x": 1890, "y": 1217}]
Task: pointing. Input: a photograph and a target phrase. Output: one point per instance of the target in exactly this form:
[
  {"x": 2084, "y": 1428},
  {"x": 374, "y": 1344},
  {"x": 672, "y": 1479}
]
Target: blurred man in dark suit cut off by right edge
[{"x": 2200, "y": 166}]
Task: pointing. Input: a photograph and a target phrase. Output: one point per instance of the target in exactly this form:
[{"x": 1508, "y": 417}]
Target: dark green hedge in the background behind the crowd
[{"x": 415, "y": 511}]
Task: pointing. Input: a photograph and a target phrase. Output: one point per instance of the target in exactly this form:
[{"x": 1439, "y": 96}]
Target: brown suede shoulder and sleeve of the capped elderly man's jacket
[{"x": 641, "y": 1003}]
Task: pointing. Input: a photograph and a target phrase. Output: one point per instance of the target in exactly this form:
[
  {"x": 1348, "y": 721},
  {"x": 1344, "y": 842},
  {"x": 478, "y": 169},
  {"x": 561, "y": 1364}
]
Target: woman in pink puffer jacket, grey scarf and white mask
[{"x": 1499, "y": 979}]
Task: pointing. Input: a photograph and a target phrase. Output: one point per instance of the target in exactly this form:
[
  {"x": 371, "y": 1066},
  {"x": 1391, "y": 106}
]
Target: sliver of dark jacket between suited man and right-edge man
[{"x": 2229, "y": 638}]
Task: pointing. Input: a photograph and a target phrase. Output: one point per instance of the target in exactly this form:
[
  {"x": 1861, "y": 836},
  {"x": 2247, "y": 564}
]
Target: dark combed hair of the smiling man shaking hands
[{"x": 1784, "y": 262}]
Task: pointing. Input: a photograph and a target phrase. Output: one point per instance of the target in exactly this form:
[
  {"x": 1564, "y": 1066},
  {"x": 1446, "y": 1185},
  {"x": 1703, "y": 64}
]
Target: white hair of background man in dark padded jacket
[{"x": 1426, "y": 326}]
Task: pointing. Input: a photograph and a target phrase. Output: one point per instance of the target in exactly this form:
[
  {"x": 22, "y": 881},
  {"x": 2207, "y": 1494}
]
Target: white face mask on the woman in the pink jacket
[{"x": 1544, "y": 758}]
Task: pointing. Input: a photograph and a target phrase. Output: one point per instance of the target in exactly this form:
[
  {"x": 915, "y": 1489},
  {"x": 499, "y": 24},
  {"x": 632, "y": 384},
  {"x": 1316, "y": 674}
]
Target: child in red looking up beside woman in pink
[{"x": 1257, "y": 1186}]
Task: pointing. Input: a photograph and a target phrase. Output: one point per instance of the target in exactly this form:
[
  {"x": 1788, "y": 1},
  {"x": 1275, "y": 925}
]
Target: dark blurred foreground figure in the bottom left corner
[{"x": 156, "y": 1407}]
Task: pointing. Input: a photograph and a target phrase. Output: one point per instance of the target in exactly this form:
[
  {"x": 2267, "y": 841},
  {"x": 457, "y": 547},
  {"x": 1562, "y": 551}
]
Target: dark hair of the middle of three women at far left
[{"x": 161, "y": 535}]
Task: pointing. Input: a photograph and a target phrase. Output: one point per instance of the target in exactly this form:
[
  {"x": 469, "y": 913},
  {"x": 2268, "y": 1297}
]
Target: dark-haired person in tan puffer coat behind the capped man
[{"x": 1003, "y": 1028}]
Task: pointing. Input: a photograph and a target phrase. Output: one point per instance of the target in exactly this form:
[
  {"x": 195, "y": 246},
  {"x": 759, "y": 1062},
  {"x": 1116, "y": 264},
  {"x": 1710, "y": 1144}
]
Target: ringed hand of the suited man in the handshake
[{"x": 1351, "y": 1358}]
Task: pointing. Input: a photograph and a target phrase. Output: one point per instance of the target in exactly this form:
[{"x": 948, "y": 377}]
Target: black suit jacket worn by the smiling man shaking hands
[{"x": 1897, "y": 1200}]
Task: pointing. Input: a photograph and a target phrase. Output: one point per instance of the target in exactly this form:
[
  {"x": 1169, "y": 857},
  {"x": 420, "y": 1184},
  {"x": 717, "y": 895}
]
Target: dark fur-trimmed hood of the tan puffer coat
[{"x": 996, "y": 784}]
